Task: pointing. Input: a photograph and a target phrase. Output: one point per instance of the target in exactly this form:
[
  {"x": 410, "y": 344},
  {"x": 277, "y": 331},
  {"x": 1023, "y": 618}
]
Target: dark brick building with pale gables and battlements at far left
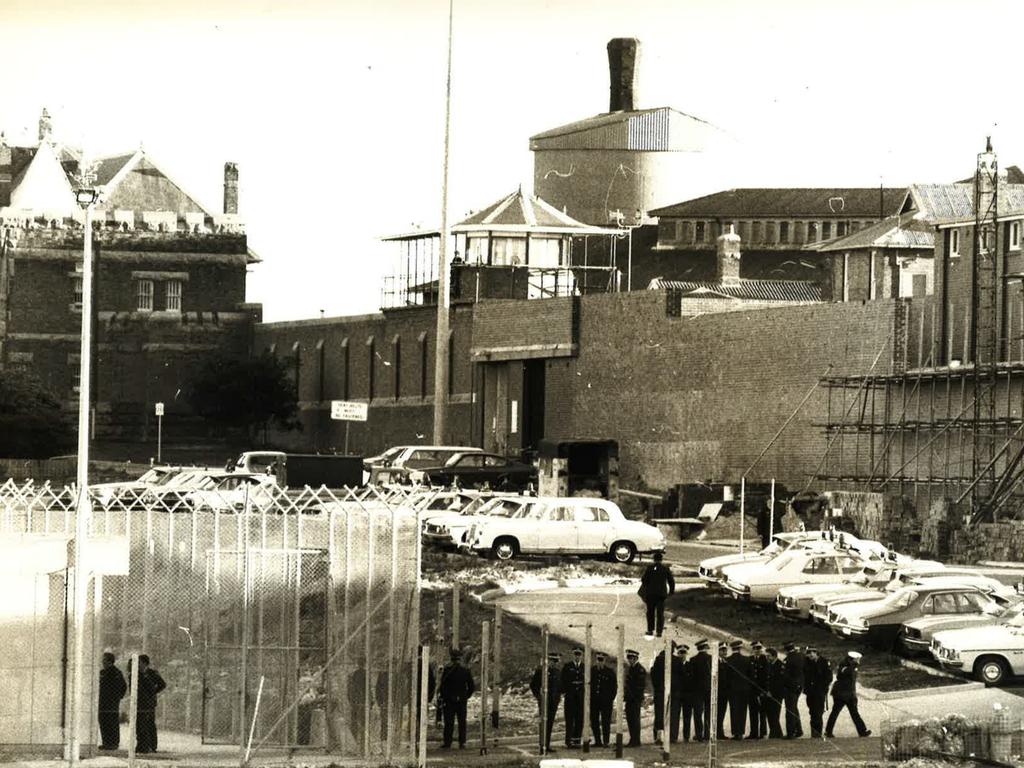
[{"x": 169, "y": 287}]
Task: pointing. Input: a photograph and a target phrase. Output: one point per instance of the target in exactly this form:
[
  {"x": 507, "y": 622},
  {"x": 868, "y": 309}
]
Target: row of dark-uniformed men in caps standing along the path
[{"x": 755, "y": 686}]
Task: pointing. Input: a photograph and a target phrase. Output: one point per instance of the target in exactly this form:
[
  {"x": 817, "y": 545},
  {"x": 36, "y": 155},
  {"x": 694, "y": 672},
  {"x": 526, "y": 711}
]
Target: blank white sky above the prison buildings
[{"x": 335, "y": 111}]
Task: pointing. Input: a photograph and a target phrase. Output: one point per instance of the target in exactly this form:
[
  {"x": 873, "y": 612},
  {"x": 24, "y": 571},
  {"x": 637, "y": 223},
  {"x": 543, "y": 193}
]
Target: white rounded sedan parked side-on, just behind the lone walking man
[{"x": 578, "y": 526}]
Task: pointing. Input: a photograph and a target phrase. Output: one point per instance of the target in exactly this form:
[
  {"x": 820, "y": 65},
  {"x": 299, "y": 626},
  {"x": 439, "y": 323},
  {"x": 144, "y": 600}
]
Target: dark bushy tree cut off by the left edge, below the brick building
[{"x": 31, "y": 423}]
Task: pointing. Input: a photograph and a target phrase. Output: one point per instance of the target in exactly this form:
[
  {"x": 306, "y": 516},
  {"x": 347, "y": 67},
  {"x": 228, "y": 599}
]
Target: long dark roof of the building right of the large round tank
[{"x": 796, "y": 202}]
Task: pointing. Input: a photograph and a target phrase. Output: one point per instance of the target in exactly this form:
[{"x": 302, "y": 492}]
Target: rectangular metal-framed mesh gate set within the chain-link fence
[{"x": 266, "y": 641}]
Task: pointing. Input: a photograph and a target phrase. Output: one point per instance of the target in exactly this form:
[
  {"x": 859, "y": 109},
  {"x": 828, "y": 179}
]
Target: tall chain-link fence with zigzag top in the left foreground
[{"x": 278, "y": 619}]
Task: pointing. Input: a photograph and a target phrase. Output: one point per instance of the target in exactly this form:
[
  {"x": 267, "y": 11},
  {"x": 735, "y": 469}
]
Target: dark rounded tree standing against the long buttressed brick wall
[{"x": 246, "y": 394}]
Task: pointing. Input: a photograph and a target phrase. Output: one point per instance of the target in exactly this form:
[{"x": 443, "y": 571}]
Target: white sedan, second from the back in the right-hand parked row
[{"x": 760, "y": 582}]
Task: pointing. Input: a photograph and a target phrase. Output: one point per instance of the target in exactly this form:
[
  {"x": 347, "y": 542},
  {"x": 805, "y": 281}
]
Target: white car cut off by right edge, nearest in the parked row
[{"x": 990, "y": 654}]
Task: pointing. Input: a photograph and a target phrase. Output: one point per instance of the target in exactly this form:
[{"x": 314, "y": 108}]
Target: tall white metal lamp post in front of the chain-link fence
[{"x": 88, "y": 197}]
